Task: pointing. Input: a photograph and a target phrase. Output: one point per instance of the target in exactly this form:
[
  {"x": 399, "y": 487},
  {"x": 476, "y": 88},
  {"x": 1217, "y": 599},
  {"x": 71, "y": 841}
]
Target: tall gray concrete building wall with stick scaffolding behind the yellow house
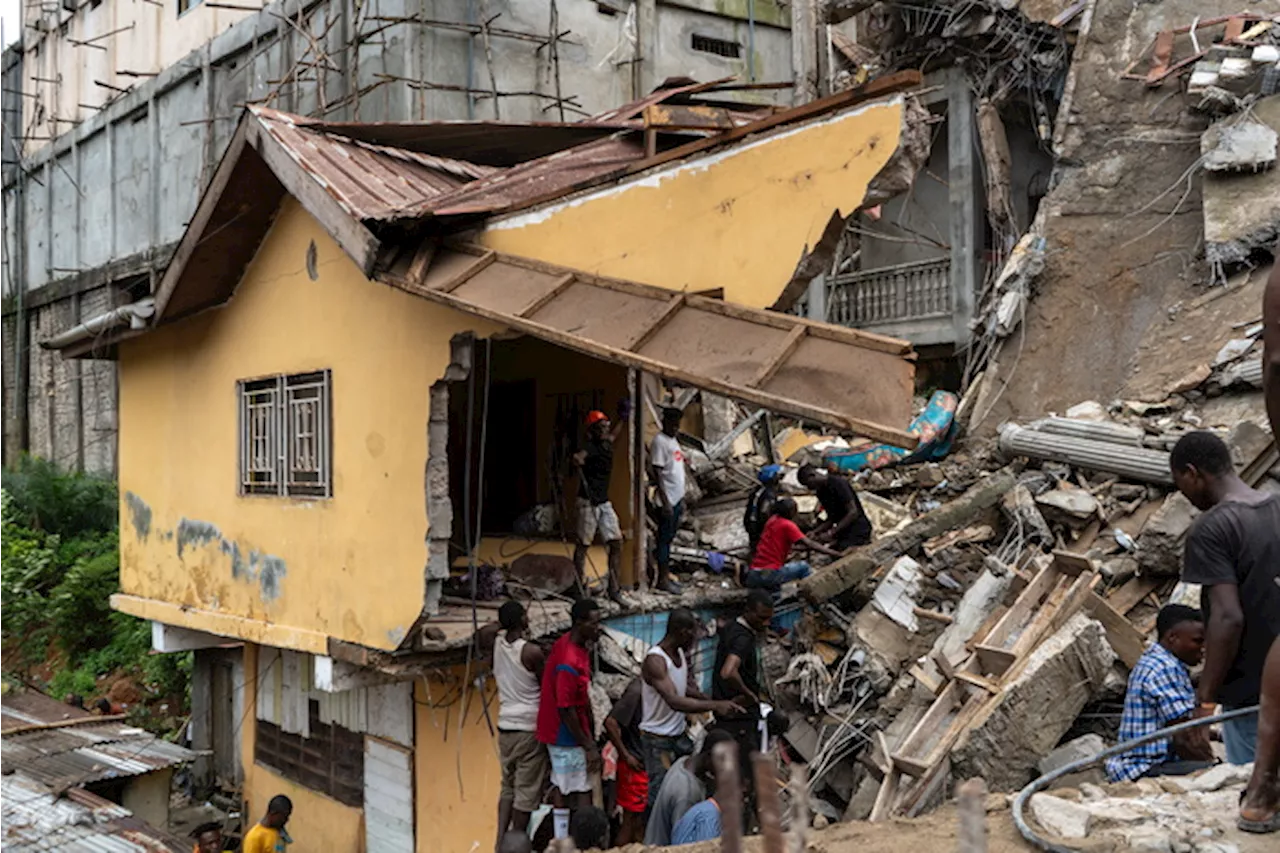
[{"x": 93, "y": 217}]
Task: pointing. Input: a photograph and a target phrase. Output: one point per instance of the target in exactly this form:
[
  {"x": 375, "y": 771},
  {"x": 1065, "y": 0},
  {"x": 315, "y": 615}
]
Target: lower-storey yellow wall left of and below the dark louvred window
[{"x": 321, "y": 824}]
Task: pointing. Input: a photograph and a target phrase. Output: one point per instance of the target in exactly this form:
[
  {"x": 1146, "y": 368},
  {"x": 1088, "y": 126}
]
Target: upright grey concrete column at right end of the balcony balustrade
[{"x": 963, "y": 203}]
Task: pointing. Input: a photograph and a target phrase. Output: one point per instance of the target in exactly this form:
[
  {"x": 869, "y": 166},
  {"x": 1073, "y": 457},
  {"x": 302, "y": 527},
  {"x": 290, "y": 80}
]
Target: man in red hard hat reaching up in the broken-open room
[{"x": 596, "y": 513}]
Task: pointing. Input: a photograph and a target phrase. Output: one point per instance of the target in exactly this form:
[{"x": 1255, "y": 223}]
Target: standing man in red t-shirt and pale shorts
[{"x": 565, "y": 715}]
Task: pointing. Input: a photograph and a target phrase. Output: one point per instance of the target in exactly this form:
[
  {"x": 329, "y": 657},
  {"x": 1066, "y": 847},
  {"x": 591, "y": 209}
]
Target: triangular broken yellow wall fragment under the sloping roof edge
[{"x": 739, "y": 220}]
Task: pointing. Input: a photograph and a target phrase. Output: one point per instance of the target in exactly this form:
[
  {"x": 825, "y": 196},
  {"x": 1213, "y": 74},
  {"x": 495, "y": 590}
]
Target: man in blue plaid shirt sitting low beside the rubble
[{"x": 1162, "y": 695}]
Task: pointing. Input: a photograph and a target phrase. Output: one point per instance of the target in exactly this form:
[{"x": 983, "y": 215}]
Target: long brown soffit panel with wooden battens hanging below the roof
[{"x": 851, "y": 380}]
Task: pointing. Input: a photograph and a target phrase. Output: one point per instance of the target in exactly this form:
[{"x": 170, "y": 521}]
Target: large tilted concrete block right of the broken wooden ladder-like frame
[{"x": 1037, "y": 708}]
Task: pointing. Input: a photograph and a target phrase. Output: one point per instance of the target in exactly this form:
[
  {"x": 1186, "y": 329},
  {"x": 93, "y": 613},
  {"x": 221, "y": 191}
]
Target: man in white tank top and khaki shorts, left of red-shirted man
[{"x": 518, "y": 668}]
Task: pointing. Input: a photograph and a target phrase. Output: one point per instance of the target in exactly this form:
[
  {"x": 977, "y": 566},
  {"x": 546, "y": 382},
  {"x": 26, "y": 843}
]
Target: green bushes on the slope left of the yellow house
[{"x": 60, "y": 567}]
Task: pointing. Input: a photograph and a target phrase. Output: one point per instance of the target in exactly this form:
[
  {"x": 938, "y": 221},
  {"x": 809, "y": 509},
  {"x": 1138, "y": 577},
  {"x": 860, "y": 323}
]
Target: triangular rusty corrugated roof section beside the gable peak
[{"x": 369, "y": 181}]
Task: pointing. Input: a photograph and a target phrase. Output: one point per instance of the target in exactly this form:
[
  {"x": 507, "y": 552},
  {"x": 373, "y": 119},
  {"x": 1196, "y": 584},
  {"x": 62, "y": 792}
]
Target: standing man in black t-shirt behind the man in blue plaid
[{"x": 1233, "y": 553}]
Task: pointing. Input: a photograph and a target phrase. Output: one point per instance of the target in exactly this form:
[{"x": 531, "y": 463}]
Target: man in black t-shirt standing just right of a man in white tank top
[{"x": 738, "y": 674}]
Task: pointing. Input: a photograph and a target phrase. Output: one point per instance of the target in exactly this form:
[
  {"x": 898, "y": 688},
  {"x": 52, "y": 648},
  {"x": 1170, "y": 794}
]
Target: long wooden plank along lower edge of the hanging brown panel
[{"x": 898, "y": 437}]
